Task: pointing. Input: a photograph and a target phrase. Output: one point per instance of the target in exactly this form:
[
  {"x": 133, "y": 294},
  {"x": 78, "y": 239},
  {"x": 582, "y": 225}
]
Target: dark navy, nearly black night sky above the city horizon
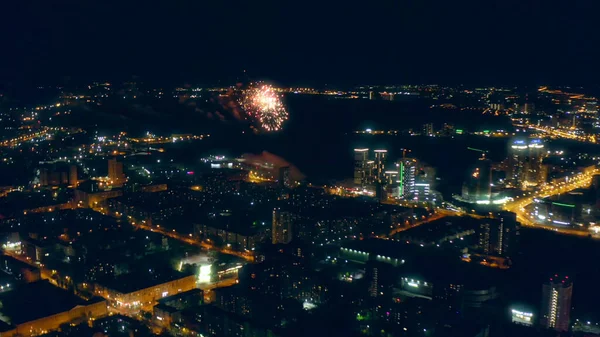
[{"x": 304, "y": 42}]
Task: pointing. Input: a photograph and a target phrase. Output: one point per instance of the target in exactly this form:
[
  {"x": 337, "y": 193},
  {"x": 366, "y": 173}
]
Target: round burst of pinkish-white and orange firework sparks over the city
[{"x": 263, "y": 104}]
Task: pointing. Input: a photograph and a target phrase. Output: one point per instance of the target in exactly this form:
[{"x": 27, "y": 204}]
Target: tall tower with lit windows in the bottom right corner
[{"x": 556, "y": 303}]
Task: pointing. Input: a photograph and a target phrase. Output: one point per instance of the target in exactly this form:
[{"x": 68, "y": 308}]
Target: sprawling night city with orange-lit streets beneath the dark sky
[{"x": 184, "y": 213}]
